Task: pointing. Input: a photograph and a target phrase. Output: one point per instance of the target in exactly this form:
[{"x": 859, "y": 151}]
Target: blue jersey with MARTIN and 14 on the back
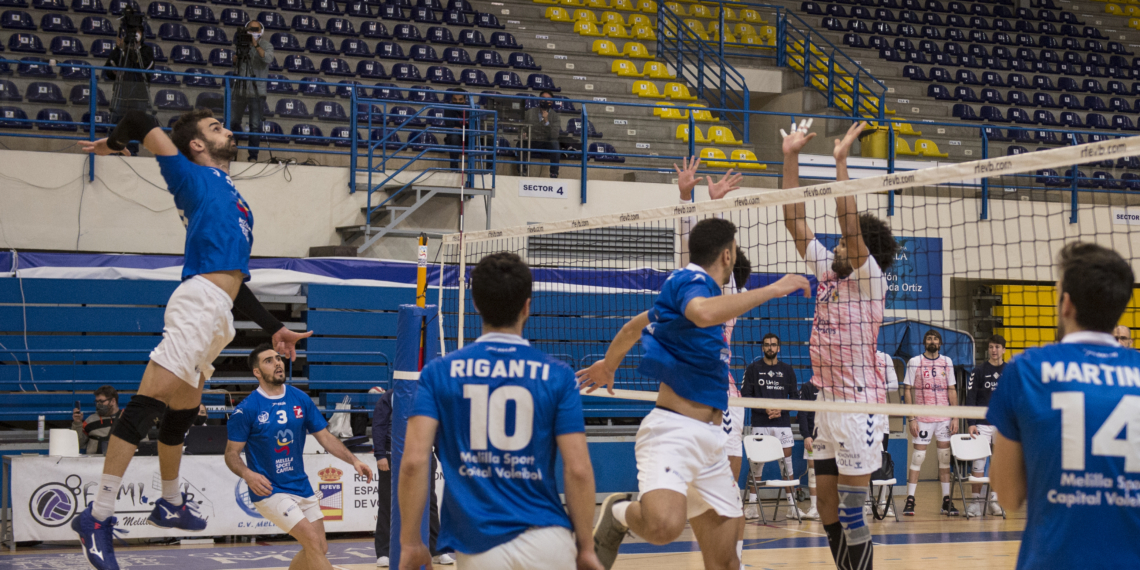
[{"x": 1076, "y": 410}]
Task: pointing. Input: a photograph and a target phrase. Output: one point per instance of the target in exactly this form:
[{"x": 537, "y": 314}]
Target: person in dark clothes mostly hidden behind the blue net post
[{"x": 382, "y": 450}]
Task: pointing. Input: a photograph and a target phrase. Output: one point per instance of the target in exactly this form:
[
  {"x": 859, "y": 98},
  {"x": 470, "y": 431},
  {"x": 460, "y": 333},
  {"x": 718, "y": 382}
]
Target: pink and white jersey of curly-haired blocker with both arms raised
[{"x": 849, "y": 314}]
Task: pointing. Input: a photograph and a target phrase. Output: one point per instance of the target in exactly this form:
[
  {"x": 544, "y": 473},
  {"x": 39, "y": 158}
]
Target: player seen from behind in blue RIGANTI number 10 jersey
[{"x": 502, "y": 411}]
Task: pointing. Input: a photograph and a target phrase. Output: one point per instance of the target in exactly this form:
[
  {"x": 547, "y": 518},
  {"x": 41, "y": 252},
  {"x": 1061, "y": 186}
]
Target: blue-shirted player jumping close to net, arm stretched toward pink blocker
[{"x": 683, "y": 473}]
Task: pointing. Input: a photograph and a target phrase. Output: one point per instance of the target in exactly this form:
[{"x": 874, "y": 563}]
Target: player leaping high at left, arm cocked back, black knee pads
[{"x": 198, "y": 323}]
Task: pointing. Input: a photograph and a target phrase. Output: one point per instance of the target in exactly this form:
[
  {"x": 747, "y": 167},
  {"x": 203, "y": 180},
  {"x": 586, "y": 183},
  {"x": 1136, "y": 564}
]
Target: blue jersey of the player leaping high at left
[{"x": 219, "y": 224}]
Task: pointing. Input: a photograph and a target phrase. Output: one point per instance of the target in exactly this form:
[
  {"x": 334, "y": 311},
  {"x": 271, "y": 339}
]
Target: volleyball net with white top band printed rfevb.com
[{"x": 593, "y": 275}]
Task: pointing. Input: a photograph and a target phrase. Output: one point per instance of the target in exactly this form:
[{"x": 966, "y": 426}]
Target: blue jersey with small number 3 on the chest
[{"x": 273, "y": 430}]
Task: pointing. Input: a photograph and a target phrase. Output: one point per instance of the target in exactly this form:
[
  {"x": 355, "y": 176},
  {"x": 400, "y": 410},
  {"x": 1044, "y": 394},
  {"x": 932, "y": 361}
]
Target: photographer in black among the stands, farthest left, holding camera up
[{"x": 133, "y": 92}]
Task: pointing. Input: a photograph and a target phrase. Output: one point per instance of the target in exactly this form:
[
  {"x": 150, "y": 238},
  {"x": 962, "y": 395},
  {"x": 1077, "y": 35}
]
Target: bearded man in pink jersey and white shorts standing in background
[{"x": 930, "y": 381}]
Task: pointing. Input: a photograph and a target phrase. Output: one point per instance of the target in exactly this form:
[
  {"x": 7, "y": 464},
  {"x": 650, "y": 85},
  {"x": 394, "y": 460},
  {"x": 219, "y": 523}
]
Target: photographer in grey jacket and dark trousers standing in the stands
[{"x": 254, "y": 54}]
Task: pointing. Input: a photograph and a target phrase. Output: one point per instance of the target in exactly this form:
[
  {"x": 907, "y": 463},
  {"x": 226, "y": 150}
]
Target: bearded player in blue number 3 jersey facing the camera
[{"x": 271, "y": 427}]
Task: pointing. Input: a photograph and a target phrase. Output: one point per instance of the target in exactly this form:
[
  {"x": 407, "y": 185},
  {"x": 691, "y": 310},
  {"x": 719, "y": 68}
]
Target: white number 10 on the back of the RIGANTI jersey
[{"x": 488, "y": 417}]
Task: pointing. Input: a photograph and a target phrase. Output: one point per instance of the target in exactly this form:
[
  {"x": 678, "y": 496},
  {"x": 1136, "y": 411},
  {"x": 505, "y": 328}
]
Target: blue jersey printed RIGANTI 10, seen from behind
[{"x": 500, "y": 404}]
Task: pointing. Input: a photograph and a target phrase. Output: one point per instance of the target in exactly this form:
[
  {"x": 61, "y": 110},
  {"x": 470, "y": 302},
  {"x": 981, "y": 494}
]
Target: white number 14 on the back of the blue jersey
[{"x": 1126, "y": 417}]
